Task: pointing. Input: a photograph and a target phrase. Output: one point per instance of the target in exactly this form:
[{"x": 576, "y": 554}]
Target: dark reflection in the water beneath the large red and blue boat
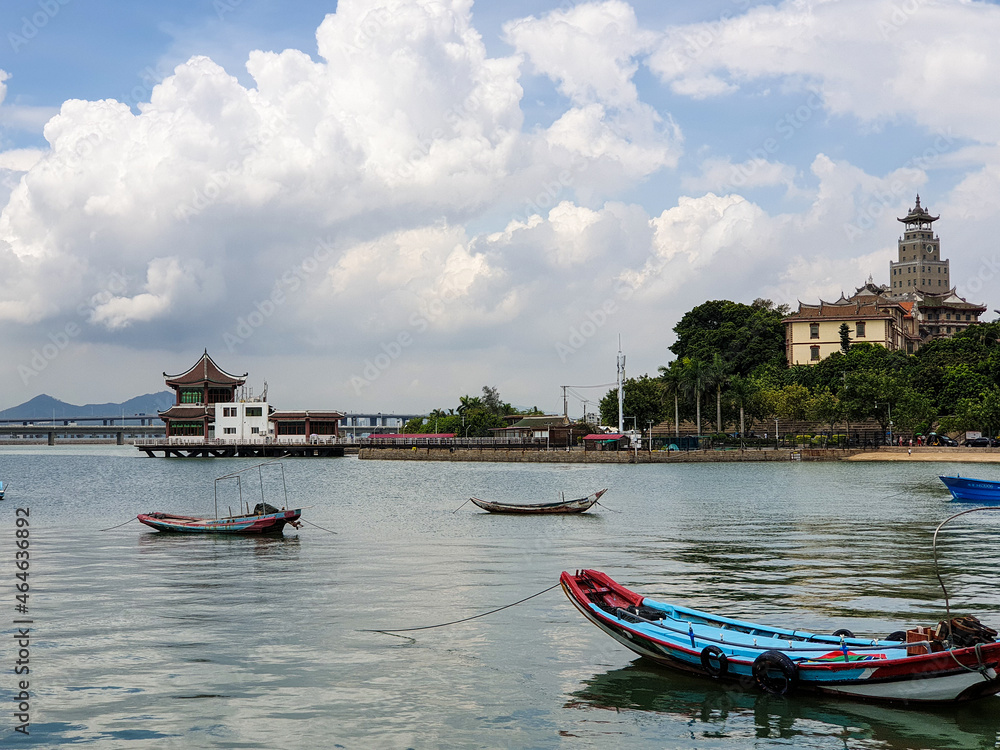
[{"x": 713, "y": 710}]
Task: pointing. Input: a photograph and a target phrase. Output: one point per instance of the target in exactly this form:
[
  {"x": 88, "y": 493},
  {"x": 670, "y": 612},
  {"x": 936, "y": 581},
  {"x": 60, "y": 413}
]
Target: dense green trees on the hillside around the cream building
[{"x": 733, "y": 354}]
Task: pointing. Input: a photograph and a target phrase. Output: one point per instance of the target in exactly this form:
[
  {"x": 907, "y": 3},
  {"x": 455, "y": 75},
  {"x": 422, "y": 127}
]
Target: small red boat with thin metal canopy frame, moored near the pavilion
[{"x": 263, "y": 519}]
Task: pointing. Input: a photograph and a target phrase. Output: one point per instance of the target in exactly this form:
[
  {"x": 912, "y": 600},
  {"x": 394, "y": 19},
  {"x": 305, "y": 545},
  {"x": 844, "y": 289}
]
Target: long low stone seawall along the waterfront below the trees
[{"x": 601, "y": 457}]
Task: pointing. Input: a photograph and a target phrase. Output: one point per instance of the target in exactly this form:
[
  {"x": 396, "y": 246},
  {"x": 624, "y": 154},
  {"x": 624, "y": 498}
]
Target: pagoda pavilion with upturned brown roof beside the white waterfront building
[{"x": 198, "y": 389}]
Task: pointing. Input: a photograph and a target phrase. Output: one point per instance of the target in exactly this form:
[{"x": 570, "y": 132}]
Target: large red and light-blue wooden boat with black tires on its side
[{"x": 957, "y": 661}]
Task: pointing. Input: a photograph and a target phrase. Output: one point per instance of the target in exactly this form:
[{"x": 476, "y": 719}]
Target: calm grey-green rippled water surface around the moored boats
[{"x": 147, "y": 640}]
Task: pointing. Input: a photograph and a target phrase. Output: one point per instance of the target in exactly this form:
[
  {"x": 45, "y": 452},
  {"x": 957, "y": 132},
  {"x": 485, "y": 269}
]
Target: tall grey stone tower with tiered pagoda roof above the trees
[{"x": 920, "y": 267}]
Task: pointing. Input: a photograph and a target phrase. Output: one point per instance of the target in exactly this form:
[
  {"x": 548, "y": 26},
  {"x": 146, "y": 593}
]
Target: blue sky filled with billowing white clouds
[{"x": 382, "y": 205}]
